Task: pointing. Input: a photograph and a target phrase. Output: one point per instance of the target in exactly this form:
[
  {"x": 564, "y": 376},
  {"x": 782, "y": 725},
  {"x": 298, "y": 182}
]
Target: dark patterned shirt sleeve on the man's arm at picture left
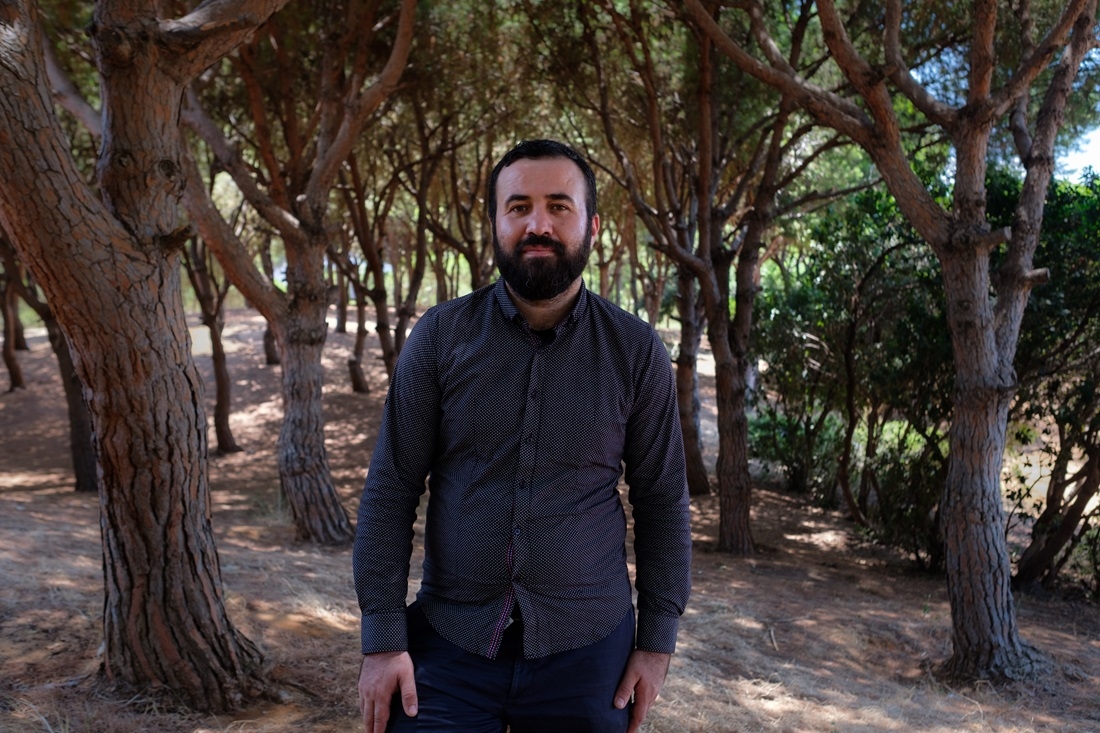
[{"x": 395, "y": 482}]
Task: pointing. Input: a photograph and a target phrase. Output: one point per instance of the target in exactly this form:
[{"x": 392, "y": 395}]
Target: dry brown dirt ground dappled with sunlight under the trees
[{"x": 816, "y": 633}]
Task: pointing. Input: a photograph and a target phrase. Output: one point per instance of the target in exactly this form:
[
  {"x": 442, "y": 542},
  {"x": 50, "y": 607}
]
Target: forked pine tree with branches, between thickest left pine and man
[{"x": 290, "y": 184}]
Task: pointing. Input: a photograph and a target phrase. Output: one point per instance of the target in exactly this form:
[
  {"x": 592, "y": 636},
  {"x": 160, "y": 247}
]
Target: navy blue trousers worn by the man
[{"x": 567, "y": 693}]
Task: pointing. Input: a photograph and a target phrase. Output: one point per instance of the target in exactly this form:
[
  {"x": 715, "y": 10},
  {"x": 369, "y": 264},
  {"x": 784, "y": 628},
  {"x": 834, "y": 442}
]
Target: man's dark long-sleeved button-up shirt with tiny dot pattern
[{"x": 523, "y": 437}]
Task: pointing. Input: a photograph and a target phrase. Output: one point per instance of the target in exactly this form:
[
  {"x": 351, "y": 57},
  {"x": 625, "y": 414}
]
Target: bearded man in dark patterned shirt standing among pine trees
[{"x": 521, "y": 403}]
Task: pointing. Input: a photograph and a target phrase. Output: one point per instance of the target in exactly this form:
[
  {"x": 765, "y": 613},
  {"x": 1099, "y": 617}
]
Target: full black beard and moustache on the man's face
[{"x": 542, "y": 279}]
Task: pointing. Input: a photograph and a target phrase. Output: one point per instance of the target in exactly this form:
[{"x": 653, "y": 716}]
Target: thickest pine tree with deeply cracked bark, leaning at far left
[{"x": 109, "y": 265}]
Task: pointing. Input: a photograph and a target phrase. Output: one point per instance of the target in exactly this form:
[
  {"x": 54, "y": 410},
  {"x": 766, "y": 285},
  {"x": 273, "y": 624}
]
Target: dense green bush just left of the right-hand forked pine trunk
[{"x": 859, "y": 309}]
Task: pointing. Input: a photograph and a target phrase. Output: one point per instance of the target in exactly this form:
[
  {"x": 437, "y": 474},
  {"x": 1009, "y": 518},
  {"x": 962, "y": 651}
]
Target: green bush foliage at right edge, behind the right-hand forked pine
[{"x": 1059, "y": 401}]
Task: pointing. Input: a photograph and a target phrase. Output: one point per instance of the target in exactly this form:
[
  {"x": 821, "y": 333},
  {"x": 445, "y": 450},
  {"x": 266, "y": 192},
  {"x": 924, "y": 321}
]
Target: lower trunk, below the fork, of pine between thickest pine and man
[{"x": 303, "y": 462}]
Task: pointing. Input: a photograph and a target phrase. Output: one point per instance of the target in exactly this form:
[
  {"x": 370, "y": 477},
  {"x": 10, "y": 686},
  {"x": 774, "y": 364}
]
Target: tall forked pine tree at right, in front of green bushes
[{"x": 984, "y": 307}]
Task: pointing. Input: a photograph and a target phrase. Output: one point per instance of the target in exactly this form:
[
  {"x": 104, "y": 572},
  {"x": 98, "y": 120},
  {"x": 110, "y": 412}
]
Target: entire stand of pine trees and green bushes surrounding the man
[{"x": 848, "y": 202}]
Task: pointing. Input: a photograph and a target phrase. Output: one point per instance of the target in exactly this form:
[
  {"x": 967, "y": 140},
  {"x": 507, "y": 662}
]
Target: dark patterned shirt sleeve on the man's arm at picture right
[{"x": 657, "y": 477}]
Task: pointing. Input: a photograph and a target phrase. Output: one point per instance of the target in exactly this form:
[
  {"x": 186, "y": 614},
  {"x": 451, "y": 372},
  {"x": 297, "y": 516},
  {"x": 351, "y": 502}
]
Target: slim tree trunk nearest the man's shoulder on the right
[{"x": 691, "y": 335}]
